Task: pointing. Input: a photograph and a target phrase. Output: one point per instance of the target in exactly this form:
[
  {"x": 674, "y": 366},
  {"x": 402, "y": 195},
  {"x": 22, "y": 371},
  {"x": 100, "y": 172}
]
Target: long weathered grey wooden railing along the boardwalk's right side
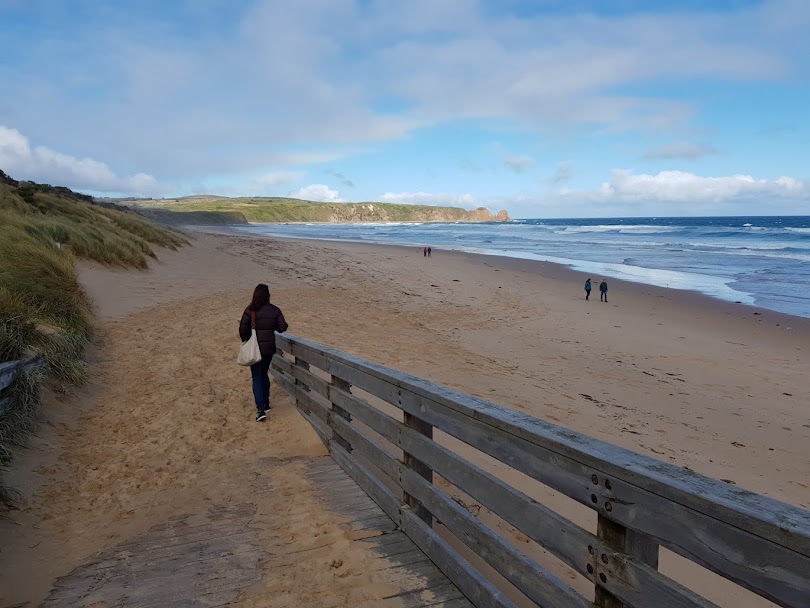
[{"x": 641, "y": 503}]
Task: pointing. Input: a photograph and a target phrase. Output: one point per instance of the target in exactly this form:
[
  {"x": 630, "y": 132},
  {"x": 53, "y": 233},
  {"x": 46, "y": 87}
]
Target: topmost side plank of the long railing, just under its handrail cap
[{"x": 768, "y": 569}]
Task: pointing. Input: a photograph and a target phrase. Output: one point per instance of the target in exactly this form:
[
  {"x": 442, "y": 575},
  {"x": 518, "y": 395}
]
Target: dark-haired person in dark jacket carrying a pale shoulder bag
[{"x": 268, "y": 321}]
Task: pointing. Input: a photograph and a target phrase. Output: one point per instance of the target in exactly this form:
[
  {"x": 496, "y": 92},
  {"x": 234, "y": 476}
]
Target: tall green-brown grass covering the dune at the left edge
[{"x": 43, "y": 309}]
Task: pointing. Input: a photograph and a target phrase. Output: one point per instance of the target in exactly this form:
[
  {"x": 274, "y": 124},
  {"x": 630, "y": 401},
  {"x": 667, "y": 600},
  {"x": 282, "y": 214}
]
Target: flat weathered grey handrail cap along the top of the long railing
[{"x": 771, "y": 519}]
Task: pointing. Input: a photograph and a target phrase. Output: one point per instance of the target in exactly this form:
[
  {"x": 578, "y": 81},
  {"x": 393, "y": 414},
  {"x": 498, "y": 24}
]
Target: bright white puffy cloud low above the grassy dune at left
[{"x": 42, "y": 164}]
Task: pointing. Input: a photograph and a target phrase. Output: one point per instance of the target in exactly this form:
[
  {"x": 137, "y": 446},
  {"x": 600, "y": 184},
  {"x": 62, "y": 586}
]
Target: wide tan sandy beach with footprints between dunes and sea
[{"x": 167, "y": 420}]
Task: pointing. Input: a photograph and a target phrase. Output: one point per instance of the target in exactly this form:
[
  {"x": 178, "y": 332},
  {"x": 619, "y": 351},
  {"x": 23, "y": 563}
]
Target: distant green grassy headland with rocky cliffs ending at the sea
[{"x": 279, "y": 210}]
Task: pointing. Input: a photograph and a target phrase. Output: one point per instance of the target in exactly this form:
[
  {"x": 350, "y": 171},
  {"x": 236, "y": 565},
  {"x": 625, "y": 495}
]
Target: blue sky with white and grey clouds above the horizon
[{"x": 548, "y": 108}]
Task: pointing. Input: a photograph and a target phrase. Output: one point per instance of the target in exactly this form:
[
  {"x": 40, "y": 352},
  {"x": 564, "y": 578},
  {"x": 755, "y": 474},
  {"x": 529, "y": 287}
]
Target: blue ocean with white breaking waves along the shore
[{"x": 759, "y": 261}]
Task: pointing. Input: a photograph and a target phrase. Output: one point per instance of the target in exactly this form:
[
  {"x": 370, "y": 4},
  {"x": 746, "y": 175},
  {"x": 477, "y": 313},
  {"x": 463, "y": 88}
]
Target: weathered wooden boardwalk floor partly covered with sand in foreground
[{"x": 214, "y": 558}]
